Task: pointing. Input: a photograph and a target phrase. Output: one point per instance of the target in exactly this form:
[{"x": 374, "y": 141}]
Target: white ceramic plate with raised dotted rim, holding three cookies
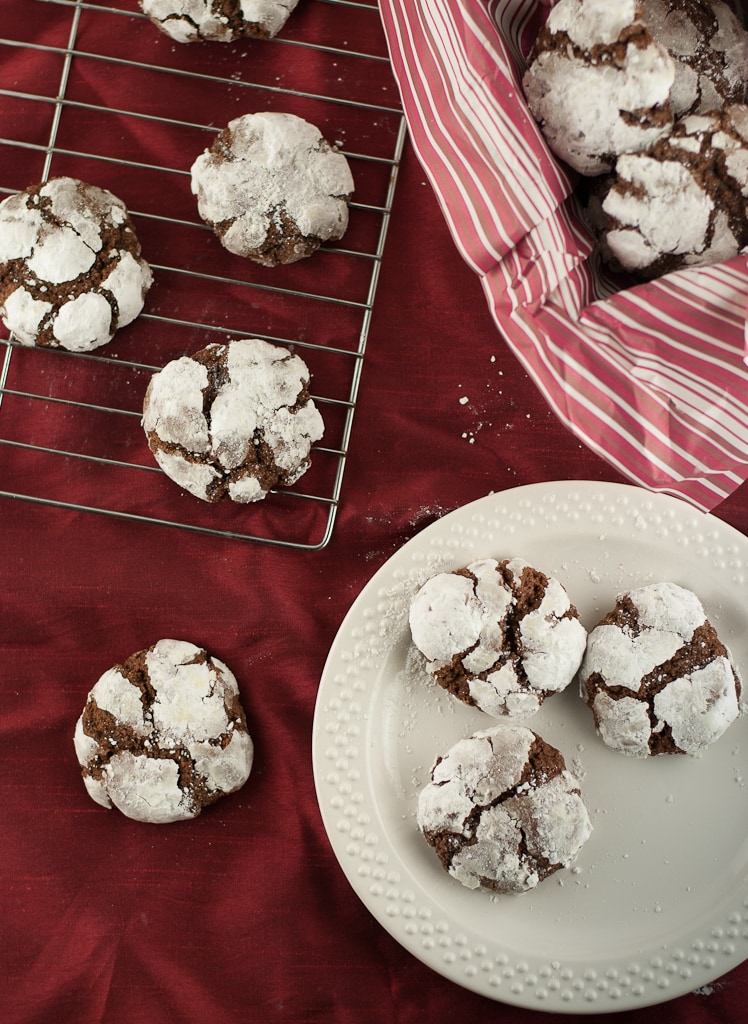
[{"x": 657, "y": 903}]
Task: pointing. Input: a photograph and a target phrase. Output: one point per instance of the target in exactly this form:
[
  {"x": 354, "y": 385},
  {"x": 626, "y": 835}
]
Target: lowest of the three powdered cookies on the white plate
[{"x": 503, "y": 812}]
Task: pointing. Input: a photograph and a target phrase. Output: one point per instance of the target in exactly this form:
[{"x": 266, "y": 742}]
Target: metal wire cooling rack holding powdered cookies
[{"x": 96, "y": 92}]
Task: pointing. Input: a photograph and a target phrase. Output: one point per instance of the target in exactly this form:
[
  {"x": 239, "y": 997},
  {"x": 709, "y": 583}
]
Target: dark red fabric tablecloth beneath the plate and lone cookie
[{"x": 244, "y": 914}]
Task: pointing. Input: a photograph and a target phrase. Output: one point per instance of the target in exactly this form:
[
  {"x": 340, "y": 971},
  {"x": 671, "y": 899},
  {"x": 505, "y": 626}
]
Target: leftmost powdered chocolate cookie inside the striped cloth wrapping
[{"x": 598, "y": 83}]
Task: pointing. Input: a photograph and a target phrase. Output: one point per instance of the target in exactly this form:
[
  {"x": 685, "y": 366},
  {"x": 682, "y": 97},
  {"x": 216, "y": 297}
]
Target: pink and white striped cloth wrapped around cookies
[{"x": 653, "y": 377}]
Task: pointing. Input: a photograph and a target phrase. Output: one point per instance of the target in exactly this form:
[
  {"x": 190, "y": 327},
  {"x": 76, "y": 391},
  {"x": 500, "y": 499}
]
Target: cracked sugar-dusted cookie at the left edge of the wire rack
[{"x": 71, "y": 271}]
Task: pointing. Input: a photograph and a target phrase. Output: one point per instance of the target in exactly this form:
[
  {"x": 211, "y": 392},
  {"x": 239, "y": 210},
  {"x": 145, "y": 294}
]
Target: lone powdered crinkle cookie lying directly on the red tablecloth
[{"x": 164, "y": 735}]
